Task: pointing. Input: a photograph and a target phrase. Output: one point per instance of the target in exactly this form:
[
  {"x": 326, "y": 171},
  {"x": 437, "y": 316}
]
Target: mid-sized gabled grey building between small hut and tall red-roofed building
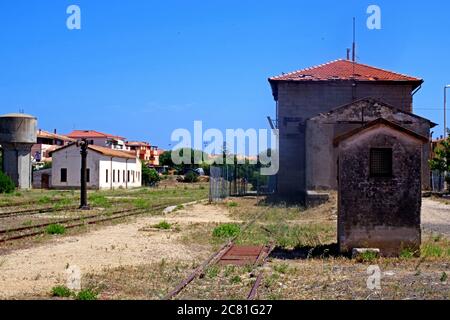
[{"x": 320, "y": 155}]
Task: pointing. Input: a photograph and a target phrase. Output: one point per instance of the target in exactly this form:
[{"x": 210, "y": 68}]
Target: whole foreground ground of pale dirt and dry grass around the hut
[{"x": 135, "y": 260}]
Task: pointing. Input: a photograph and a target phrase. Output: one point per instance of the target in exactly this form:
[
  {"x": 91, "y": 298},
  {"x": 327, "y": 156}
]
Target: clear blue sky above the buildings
[{"x": 143, "y": 68}]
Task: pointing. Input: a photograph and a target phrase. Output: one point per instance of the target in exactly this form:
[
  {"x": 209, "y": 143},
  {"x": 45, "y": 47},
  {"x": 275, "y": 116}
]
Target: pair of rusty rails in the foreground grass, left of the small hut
[{"x": 218, "y": 255}]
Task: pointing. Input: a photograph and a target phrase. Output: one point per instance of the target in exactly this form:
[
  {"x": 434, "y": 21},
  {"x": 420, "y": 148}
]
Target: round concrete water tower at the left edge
[{"x": 17, "y": 136}]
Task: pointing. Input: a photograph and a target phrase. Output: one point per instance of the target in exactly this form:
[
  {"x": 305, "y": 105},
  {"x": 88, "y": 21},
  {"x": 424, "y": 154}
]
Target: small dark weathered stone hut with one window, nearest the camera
[{"x": 379, "y": 184}]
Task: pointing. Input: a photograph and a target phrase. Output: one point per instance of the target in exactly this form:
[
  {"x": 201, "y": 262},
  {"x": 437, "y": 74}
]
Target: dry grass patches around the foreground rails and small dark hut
[{"x": 305, "y": 264}]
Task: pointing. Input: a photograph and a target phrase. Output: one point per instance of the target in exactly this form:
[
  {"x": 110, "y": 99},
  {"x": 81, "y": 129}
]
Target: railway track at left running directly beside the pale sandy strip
[{"x": 38, "y": 229}]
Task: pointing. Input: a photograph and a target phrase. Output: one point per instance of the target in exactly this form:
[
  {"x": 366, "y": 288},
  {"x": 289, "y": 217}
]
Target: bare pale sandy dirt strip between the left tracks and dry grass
[{"x": 34, "y": 271}]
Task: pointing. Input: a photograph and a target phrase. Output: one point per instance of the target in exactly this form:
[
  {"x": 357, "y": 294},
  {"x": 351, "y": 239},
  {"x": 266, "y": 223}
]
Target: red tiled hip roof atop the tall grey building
[{"x": 343, "y": 70}]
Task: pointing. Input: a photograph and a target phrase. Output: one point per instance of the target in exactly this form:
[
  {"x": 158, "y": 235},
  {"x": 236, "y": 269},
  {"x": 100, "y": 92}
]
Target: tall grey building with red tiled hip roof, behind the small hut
[{"x": 304, "y": 94}]
